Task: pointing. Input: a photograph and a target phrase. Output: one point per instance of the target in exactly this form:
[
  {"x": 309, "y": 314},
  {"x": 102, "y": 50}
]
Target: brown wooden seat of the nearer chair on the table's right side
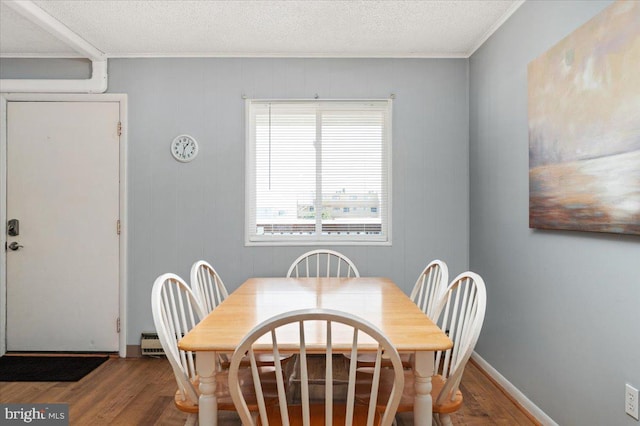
[{"x": 408, "y": 393}]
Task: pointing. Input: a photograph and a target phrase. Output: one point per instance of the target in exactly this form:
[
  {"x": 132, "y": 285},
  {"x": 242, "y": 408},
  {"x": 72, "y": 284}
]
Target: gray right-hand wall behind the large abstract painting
[{"x": 563, "y": 316}]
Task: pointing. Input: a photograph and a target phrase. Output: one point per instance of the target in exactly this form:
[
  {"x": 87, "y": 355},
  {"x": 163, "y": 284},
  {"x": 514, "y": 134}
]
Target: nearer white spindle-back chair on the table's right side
[{"x": 460, "y": 312}]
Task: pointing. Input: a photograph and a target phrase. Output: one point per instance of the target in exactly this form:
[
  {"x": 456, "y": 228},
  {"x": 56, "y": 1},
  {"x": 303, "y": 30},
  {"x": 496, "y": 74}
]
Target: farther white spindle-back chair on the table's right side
[{"x": 429, "y": 286}]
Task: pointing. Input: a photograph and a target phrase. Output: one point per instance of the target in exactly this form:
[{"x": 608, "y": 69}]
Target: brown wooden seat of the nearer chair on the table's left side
[{"x": 268, "y": 378}]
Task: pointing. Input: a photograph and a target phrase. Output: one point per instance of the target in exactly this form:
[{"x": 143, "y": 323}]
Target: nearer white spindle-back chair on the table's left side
[{"x": 176, "y": 310}]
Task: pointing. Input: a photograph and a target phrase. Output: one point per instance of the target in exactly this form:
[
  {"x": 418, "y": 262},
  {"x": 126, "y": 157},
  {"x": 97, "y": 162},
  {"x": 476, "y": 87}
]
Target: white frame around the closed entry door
[{"x": 122, "y": 287}]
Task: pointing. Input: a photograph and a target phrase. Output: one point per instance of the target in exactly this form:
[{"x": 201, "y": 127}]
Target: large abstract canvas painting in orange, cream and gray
[{"x": 584, "y": 127}]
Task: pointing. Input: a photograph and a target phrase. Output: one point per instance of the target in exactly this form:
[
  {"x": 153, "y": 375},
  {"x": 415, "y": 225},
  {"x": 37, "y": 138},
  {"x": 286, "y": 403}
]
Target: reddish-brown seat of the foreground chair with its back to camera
[{"x": 317, "y": 415}]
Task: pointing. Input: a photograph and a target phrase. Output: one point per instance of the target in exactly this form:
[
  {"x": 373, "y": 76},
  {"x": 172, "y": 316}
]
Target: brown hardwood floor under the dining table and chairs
[{"x": 139, "y": 391}]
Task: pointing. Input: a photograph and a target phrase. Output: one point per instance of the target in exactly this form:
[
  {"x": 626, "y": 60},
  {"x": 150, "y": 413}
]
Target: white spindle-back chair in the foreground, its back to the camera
[{"x": 328, "y": 411}]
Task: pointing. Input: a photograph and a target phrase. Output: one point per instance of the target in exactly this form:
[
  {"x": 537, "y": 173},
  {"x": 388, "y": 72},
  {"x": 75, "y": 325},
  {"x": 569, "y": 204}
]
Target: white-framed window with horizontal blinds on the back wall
[{"x": 318, "y": 172}]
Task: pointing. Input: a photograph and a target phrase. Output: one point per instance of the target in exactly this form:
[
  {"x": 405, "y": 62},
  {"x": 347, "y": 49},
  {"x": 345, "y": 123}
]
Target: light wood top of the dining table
[{"x": 378, "y": 300}]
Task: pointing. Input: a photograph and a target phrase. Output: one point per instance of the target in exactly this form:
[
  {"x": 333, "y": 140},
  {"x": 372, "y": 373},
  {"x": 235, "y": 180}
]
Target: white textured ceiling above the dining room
[{"x": 295, "y": 28}]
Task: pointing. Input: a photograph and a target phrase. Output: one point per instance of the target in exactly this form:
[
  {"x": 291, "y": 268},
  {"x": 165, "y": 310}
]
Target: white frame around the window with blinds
[{"x": 253, "y": 239}]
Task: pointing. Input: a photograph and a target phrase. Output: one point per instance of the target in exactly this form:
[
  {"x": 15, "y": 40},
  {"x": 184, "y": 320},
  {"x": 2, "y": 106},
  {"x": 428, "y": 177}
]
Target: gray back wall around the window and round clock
[{"x": 183, "y": 212}]
